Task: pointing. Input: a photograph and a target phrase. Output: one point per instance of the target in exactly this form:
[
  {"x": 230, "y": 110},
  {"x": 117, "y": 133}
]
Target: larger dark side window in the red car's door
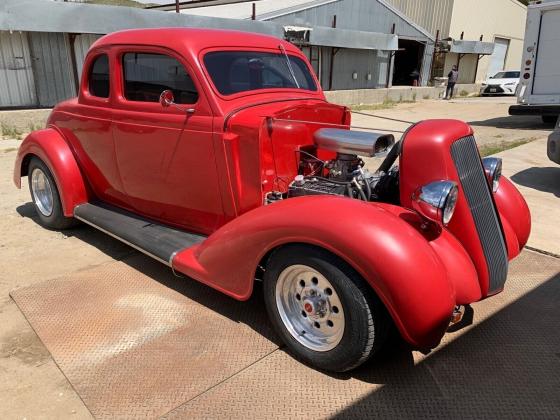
[{"x": 146, "y": 75}]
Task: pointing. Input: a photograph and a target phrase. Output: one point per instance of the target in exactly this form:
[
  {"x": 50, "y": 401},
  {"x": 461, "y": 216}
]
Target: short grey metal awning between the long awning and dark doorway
[{"x": 344, "y": 38}]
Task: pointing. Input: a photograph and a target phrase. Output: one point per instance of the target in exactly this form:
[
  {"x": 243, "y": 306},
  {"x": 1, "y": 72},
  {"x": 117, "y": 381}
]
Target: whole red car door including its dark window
[{"x": 165, "y": 155}]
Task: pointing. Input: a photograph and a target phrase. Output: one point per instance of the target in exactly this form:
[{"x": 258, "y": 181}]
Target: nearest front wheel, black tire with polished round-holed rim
[{"x": 323, "y": 310}]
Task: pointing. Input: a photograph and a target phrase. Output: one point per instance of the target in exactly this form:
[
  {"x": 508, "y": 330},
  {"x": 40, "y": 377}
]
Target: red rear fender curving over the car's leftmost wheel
[{"x": 49, "y": 146}]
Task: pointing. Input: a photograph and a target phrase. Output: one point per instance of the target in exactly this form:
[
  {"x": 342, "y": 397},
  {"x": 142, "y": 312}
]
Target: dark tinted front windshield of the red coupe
[{"x": 241, "y": 71}]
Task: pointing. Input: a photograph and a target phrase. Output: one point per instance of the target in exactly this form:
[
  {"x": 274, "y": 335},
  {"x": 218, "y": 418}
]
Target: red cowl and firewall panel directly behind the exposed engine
[{"x": 261, "y": 145}]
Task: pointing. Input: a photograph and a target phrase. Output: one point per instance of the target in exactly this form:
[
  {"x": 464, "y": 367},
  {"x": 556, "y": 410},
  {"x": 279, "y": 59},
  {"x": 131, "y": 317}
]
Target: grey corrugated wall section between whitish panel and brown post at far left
[{"x": 52, "y": 67}]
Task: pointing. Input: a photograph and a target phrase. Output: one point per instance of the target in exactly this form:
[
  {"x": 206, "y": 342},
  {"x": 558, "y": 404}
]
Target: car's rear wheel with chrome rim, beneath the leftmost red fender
[{"x": 45, "y": 196}]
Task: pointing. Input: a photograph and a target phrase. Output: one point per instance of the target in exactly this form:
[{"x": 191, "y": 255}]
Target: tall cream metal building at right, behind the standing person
[{"x": 482, "y": 37}]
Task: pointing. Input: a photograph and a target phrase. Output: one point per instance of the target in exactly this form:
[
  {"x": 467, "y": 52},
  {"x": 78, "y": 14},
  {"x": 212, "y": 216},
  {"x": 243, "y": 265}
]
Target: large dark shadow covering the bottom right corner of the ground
[{"x": 506, "y": 367}]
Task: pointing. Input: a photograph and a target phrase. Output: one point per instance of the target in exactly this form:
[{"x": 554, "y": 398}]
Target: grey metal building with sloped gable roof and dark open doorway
[{"x": 348, "y": 65}]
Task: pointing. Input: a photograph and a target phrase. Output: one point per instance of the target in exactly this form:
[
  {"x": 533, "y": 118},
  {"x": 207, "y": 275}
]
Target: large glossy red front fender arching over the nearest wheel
[{"x": 396, "y": 260}]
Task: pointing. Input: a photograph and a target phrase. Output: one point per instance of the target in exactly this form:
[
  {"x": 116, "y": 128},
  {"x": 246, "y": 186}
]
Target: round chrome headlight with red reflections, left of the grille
[{"x": 436, "y": 201}]
